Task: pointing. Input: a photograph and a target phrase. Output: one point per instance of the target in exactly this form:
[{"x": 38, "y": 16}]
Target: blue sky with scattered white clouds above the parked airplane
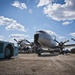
[{"x": 21, "y": 19}]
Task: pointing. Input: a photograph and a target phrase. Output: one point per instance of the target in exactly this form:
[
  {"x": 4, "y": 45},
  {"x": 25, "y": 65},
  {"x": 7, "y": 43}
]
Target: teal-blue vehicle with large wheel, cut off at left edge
[{"x": 7, "y": 50}]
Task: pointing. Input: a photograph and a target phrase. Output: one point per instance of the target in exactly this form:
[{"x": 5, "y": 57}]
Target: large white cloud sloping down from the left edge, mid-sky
[{"x": 11, "y": 24}]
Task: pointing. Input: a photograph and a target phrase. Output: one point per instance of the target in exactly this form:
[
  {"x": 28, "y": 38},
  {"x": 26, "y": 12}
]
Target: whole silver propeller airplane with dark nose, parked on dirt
[{"x": 43, "y": 39}]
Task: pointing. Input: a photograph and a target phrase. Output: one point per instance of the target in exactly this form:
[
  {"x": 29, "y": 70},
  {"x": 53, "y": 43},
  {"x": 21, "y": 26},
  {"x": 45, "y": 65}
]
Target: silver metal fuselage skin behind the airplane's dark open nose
[{"x": 46, "y": 40}]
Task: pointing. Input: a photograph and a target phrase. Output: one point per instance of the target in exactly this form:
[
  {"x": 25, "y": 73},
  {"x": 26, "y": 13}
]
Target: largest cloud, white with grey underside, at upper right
[{"x": 60, "y": 12}]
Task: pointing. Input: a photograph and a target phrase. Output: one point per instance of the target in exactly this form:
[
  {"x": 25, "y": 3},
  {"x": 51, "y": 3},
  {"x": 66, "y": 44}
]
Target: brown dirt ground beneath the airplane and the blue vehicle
[{"x": 46, "y": 64}]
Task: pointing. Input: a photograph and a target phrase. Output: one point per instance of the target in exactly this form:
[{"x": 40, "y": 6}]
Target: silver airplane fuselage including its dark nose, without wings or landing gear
[{"x": 44, "y": 39}]
